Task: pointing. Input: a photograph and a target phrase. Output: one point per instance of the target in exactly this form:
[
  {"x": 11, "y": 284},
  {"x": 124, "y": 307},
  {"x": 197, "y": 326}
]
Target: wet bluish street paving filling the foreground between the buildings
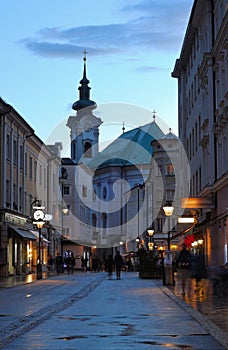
[{"x": 89, "y": 311}]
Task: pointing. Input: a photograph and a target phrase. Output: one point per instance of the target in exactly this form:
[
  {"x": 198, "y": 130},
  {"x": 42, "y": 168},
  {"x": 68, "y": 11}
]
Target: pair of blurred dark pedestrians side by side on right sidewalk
[{"x": 190, "y": 266}]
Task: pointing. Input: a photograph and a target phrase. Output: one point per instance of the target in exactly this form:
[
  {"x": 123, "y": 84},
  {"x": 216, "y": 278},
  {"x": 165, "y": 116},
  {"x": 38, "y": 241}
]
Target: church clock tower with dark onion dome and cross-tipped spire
[{"x": 85, "y": 125}]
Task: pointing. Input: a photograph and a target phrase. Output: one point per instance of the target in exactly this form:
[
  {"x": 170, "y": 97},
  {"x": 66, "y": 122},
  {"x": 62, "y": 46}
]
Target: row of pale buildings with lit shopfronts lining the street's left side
[{"x": 29, "y": 171}]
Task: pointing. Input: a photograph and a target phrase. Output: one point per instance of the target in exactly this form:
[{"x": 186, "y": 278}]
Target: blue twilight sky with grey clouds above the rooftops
[{"x": 132, "y": 47}]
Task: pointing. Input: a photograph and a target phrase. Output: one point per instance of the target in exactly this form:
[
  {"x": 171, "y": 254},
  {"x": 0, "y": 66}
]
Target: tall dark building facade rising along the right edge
[{"x": 201, "y": 71}]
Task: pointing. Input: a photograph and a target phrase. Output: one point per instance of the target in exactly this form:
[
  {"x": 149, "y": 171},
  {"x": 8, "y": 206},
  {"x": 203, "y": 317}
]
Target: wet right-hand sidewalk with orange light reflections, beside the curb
[{"x": 202, "y": 298}]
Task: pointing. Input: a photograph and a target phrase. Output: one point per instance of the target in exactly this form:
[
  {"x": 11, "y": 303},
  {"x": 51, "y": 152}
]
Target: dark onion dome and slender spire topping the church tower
[{"x": 84, "y": 92}]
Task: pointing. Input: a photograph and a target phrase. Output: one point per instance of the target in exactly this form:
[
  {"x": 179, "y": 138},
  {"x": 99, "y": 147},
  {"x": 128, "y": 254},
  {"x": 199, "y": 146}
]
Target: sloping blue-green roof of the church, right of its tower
[{"x": 132, "y": 147}]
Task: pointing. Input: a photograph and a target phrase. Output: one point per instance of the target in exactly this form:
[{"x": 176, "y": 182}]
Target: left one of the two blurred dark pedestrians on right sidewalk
[{"x": 184, "y": 263}]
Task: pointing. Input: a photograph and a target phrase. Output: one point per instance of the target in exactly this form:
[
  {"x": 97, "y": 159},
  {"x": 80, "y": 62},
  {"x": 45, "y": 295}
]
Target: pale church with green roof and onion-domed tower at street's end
[{"x": 109, "y": 193}]
